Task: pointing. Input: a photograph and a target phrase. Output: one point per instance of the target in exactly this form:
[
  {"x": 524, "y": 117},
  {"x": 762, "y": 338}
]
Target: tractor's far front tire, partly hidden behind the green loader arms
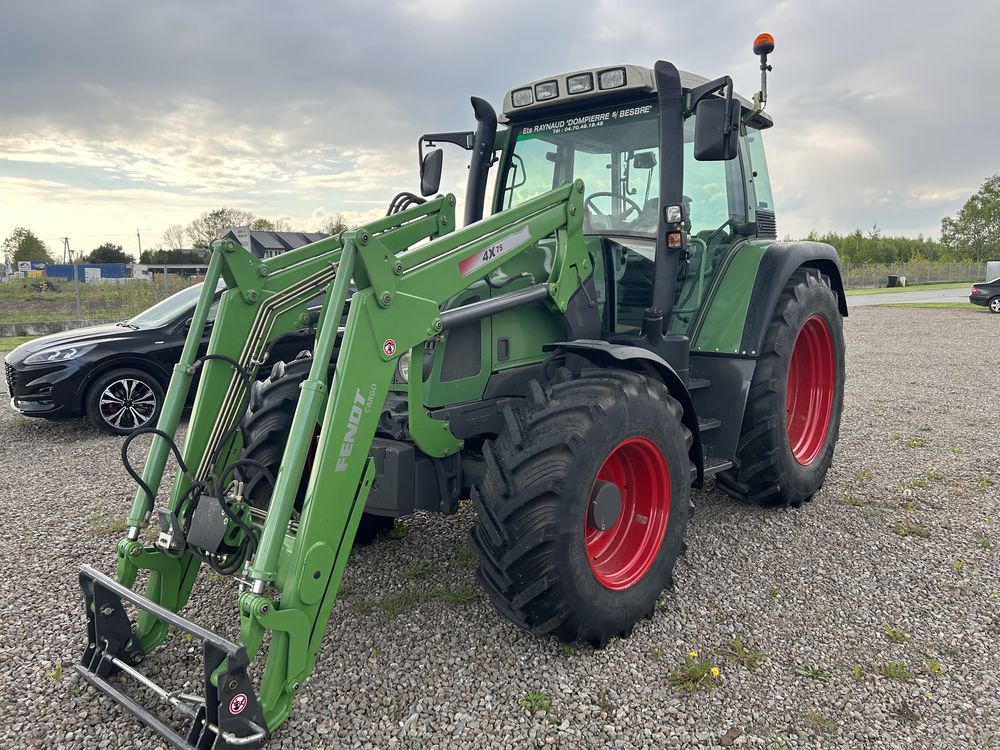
[{"x": 265, "y": 430}]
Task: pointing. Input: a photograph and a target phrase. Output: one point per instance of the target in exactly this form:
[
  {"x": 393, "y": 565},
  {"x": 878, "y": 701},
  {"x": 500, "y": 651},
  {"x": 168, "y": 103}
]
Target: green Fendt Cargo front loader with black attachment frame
[{"x": 291, "y": 572}]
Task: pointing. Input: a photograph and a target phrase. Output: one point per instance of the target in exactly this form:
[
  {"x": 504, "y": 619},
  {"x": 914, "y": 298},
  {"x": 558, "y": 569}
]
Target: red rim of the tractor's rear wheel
[{"x": 809, "y": 396}]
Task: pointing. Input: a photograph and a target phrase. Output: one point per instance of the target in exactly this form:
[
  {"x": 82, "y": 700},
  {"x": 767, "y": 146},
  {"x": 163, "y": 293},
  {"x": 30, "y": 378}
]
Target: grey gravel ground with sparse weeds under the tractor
[{"x": 904, "y": 536}]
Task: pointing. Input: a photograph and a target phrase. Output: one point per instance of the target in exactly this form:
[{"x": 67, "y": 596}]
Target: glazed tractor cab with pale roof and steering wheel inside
[{"x": 603, "y": 126}]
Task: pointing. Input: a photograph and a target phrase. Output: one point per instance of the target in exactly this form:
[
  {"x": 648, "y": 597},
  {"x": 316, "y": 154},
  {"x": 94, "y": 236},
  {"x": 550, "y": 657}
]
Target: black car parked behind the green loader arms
[{"x": 116, "y": 374}]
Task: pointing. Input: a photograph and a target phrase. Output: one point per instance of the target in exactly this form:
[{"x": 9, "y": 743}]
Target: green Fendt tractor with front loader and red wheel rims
[{"x": 622, "y": 326}]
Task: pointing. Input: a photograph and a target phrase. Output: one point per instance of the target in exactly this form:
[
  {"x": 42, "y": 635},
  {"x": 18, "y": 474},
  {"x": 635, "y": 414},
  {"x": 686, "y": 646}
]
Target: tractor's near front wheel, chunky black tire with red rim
[{"x": 584, "y": 501}]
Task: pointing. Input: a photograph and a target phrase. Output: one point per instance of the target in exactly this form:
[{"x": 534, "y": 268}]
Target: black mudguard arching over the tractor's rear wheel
[{"x": 777, "y": 265}]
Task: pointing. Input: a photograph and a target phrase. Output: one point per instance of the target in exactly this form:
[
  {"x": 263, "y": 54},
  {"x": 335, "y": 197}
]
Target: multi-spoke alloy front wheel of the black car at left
[{"x": 121, "y": 401}]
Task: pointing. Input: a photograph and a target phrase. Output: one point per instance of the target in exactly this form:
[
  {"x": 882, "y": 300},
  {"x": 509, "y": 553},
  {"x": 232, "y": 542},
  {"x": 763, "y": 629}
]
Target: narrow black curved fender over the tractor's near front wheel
[{"x": 604, "y": 354}]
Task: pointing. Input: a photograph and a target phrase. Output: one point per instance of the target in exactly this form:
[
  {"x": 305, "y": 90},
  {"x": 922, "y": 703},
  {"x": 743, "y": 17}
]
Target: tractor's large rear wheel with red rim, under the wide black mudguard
[{"x": 792, "y": 419}]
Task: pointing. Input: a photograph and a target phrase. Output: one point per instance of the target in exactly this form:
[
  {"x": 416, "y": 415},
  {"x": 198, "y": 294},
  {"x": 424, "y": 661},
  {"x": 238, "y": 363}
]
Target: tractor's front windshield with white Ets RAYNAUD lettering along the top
[{"x": 613, "y": 150}]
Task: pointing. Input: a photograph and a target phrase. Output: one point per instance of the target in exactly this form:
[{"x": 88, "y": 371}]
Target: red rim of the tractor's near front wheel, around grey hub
[{"x": 620, "y": 555}]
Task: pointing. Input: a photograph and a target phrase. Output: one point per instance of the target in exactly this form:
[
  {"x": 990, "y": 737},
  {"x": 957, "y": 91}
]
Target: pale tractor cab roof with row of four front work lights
[{"x": 594, "y": 85}]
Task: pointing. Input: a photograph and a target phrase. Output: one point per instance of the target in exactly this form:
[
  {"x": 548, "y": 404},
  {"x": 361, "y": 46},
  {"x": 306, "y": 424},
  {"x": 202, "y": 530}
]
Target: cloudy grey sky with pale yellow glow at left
[{"x": 118, "y": 116}]
